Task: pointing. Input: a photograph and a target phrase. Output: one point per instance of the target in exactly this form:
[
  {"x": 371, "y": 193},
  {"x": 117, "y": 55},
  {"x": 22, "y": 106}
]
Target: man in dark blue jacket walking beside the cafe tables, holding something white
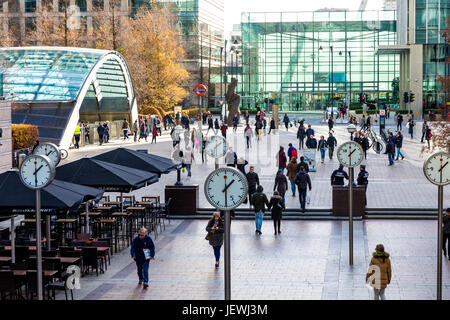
[{"x": 142, "y": 251}]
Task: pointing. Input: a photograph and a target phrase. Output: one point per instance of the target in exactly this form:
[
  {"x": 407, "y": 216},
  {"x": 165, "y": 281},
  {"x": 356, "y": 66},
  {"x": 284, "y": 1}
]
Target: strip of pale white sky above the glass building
[{"x": 234, "y": 8}]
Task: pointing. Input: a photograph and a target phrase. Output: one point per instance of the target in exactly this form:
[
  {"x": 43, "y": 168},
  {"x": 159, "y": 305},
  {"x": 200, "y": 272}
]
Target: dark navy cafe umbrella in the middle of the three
[{"x": 105, "y": 176}]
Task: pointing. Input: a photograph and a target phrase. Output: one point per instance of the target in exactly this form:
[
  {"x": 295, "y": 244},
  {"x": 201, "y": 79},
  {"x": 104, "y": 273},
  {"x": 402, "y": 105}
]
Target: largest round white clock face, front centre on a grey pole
[{"x": 226, "y": 188}]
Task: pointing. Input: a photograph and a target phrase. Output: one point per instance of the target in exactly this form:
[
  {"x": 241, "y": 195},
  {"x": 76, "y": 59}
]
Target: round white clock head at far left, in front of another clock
[{"x": 36, "y": 171}]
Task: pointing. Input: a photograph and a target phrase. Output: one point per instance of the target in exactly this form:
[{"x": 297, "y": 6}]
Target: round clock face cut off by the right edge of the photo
[{"x": 437, "y": 168}]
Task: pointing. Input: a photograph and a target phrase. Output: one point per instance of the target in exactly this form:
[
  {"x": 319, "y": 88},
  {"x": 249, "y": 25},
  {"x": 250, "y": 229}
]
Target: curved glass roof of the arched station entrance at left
[{"x": 50, "y": 73}]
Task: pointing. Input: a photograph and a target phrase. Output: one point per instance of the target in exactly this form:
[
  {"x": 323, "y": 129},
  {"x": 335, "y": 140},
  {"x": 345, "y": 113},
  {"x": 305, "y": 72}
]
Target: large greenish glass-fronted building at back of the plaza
[{"x": 305, "y": 59}]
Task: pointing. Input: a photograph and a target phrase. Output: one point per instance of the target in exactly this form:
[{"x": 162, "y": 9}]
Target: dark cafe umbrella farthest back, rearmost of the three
[{"x": 139, "y": 160}]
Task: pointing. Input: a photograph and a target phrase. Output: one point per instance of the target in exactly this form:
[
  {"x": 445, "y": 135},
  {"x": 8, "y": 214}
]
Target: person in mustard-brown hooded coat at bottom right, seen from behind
[{"x": 379, "y": 276}]
